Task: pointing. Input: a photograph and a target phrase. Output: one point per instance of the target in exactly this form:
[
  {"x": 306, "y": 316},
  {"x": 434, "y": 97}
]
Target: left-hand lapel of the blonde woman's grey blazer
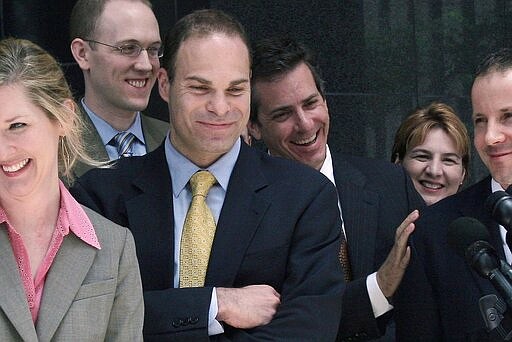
[{"x": 13, "y": 300}]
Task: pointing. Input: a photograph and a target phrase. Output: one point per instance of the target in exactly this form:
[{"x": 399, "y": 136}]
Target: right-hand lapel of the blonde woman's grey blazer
[{"x": 64, "y": 279}]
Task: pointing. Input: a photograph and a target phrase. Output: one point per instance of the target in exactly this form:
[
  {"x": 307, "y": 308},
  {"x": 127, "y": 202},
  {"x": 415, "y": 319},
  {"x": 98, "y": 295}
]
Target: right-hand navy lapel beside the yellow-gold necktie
[{"x": 241, "y": 213}]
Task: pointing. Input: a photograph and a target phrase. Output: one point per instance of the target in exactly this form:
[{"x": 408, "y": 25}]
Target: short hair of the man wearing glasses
[{"x": 84, "y": 17}]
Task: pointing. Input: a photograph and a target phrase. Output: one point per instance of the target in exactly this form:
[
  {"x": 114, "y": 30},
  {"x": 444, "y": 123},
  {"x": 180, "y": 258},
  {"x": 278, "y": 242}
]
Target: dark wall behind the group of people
[{"x": 380, "y": 58}]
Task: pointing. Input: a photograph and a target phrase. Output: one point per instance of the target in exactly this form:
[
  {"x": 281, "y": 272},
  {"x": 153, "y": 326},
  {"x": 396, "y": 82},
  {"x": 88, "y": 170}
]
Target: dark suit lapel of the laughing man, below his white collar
[{"x": 359, "y": 208}]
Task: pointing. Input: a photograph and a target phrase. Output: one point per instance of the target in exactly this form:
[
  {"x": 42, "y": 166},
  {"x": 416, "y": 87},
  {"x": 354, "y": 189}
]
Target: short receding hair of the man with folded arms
[{"x": 200, "y": 23}]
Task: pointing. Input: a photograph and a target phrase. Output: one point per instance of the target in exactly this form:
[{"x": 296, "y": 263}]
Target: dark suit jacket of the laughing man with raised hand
[{"x": 375, "y": 197}]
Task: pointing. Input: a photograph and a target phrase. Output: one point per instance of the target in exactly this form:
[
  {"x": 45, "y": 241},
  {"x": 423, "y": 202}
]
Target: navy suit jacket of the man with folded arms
[{"x": 279, "y": 225}]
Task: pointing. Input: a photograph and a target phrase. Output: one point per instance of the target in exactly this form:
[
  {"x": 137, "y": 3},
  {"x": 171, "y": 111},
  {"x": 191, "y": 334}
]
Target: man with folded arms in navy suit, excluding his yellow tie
[{"x": 273, "y": 272}]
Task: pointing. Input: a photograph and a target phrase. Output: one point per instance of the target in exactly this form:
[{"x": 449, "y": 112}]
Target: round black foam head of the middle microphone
[{"x": 463, "y": 232}]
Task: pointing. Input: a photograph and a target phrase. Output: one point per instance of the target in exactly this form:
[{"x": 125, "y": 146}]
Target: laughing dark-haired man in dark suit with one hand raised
[{"x": 289, "y": 113}]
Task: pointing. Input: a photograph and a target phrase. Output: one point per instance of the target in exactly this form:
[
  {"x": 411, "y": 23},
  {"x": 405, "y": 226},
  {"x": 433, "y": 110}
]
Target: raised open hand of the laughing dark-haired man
[{"x": 391, "y": 272}]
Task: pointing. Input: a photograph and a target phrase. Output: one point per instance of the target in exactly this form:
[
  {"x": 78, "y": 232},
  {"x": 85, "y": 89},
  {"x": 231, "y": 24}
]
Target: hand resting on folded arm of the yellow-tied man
[{"x": 247, "y": 307}]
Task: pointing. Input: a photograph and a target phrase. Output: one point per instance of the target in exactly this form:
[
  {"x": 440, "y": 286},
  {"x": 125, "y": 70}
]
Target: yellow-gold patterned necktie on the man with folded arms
[{"x": 198, "y": 232}]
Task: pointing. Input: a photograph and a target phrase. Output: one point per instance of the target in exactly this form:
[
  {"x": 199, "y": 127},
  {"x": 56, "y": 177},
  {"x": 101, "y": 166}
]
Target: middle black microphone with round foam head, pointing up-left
[{"x": 468, "y": 237}]
